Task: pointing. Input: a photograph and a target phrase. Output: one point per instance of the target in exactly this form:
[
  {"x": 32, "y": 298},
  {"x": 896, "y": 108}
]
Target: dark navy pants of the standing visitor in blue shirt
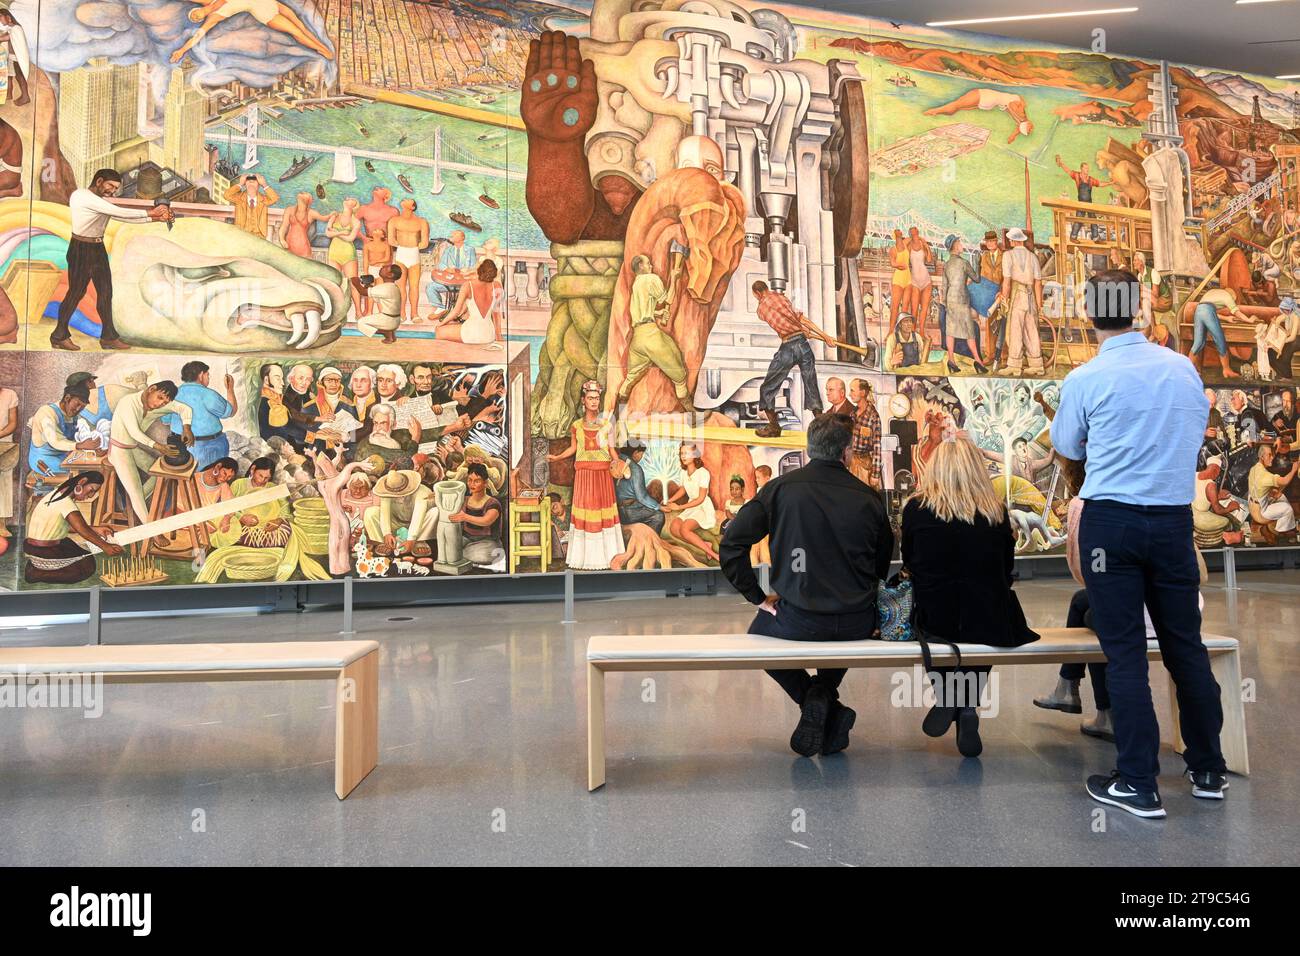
[{"x": 1134, "y": 555}]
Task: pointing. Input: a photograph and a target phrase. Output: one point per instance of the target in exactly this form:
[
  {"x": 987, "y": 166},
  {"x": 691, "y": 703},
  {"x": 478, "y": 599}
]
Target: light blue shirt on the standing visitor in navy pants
[{"x": 1137, "y": 413}]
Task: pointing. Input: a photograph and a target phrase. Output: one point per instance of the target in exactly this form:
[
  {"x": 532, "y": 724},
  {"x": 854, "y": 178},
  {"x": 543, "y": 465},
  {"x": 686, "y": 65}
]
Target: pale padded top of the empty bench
[{"x": 128, "y": 659}]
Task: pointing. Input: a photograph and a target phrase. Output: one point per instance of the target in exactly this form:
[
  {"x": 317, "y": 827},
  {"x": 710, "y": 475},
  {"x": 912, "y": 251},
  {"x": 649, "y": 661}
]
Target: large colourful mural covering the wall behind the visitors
[{"x": 307, "y": 289}]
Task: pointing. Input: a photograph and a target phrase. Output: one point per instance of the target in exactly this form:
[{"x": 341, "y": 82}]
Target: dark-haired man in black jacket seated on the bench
[{"x": 831, "y": 544}]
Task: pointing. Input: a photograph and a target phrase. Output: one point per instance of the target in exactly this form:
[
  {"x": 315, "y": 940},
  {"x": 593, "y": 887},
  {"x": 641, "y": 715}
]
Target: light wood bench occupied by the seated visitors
[{"x": 714, "y": 652}]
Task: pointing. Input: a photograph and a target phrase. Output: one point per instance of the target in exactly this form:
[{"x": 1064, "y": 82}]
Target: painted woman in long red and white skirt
[{"x": 596, "y": 538}]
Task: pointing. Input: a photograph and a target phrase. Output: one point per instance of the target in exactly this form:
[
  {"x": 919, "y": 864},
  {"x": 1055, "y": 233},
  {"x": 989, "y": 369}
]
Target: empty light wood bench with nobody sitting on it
[{"x": 353, "y": 665}]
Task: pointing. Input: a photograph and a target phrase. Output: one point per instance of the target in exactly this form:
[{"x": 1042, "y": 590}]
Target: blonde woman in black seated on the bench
[{"x": 959, "y": 548}]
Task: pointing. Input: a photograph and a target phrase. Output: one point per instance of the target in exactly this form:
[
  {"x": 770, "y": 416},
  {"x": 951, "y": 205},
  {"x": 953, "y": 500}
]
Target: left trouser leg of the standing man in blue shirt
[{"x": 1116, "y": 594}]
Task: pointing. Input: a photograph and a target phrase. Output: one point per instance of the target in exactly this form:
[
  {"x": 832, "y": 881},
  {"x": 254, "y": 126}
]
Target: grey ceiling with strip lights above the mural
[{"x": 1251, "y": 38}]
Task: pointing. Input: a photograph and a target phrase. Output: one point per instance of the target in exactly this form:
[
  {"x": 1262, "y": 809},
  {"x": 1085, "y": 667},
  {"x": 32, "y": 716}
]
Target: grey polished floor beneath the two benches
[{"x": 483, "y": 758}]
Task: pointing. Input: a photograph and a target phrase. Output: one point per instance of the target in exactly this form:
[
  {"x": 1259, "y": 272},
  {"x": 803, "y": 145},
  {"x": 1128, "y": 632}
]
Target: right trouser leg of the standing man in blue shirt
[{"x": 1172, "y": 596}]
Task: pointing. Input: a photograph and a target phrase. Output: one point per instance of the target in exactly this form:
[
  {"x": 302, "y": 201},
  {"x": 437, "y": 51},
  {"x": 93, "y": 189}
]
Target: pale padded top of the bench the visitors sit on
[{"x": 748, "y": 647}]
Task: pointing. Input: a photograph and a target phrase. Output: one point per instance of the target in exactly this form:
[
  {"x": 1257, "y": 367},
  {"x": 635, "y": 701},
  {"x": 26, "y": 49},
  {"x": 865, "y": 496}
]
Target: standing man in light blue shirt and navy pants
[{"x": 1136, "y": 538}]
